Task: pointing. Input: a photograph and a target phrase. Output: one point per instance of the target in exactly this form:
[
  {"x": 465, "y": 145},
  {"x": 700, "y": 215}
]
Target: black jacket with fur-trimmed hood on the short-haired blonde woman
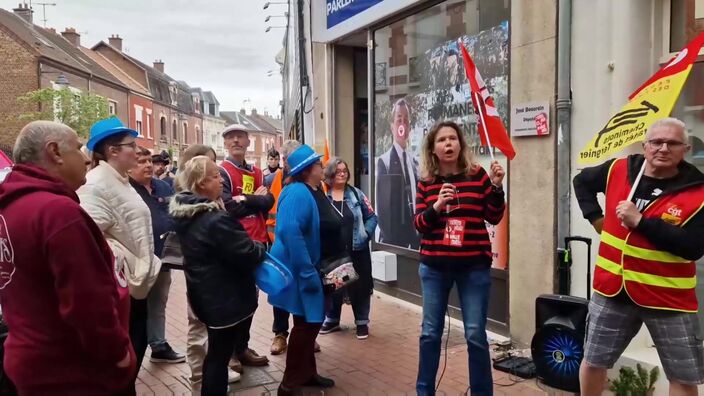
[{"x": 220, "y": 260}]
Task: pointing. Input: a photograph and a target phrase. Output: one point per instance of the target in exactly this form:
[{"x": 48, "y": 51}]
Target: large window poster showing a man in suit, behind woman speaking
[{"x": 402, "y": 119}]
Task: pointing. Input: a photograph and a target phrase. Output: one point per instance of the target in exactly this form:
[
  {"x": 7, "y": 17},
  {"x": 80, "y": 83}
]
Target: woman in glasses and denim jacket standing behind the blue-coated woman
[{"x": 359, "y": 223}]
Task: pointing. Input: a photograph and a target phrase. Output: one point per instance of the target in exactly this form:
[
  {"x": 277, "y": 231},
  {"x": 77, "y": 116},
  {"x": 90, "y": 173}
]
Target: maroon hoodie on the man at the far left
[{"x": 66, "y": 309}]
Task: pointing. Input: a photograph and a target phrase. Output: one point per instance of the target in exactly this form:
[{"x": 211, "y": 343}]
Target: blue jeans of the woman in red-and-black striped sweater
[{"x": 473, "y": 287}]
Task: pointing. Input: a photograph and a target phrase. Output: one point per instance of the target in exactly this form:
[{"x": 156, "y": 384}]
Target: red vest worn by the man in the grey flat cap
[{"x": 245, "y": 182}]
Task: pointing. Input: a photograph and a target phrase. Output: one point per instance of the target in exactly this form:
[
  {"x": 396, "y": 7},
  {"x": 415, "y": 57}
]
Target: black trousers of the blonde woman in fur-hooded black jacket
[{"x": 221, "y": 344}]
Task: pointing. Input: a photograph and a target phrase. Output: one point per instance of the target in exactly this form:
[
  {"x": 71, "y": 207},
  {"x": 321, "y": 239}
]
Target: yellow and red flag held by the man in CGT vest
[{"x": 652, "y": 101}]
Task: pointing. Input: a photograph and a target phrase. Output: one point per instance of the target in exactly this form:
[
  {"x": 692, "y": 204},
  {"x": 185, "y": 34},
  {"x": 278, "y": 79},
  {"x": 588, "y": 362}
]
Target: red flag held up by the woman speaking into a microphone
[{"x": 494, "y": 128}]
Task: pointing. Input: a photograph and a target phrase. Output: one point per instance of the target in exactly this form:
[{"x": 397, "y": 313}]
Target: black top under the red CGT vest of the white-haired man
[{"x": 682, "y": 241}]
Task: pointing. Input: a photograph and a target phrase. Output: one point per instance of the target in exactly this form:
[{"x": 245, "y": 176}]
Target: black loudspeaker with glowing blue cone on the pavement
[{"x": 557, "y": 347}]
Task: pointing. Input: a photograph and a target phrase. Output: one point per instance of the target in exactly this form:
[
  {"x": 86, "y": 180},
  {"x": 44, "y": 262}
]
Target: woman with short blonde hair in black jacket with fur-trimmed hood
[{"x": 220, "y": 260}]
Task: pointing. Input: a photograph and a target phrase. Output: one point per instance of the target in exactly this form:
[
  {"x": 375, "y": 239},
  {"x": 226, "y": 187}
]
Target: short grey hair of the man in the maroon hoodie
[{"x": 33, "y": 138}]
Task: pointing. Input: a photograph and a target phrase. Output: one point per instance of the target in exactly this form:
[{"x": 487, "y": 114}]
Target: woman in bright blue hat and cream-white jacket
[{"x": 124, "y": 219}]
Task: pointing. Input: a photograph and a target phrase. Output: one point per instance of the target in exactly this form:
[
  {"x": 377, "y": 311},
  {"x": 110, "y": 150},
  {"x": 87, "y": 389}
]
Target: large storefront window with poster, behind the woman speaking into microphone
[{"x": 420, "y": 80}]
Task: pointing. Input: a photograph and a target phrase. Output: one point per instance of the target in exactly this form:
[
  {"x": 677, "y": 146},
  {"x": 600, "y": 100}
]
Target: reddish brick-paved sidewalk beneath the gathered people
[{"x": 384, "y": 364}]
